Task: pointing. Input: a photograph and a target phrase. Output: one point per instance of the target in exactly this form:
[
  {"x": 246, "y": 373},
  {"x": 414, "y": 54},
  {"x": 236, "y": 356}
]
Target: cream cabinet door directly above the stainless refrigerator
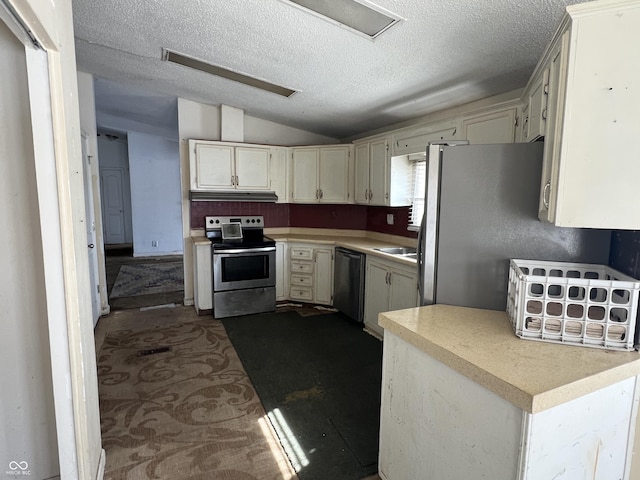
[{"x": 495, "y": 127}]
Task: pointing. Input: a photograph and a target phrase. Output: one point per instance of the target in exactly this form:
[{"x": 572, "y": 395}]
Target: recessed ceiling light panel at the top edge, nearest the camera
[{"x": 362, "y": 16}]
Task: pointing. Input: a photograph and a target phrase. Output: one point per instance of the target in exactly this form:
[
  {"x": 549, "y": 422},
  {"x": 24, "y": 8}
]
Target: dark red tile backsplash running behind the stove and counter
[{"x": 350, "y": 217}]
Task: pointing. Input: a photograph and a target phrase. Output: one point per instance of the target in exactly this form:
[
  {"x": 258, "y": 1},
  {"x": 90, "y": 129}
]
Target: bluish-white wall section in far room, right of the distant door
[{"x": 154, "y": 166}]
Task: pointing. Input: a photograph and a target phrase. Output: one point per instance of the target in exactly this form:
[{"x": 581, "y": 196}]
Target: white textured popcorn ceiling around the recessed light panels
[{"x": 445, "y": 53}]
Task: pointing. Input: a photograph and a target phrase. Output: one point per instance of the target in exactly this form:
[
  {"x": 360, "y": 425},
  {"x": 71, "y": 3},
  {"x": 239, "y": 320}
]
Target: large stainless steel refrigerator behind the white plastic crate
[{"x": 481, "y": 209}]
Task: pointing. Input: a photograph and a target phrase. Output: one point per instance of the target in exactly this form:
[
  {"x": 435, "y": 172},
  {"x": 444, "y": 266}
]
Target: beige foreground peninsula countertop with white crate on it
[{"x": 481, "y": 345}]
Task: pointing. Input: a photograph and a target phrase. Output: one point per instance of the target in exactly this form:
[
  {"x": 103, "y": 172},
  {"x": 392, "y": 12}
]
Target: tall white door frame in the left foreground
[{"x": 53, "y": 96}]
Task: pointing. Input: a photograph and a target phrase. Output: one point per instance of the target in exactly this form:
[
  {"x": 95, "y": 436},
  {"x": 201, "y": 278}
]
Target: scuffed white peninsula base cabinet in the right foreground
[{"x": 436, "y": 423}]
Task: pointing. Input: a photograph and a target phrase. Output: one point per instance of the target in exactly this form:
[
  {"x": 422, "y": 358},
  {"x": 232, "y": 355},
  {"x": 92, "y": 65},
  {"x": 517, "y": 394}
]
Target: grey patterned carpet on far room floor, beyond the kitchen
[{"x": 148, "y": 278}]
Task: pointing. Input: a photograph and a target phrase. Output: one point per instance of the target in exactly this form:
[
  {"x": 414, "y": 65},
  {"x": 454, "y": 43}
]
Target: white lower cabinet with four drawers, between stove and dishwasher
[{"x": 311, "y": 273}]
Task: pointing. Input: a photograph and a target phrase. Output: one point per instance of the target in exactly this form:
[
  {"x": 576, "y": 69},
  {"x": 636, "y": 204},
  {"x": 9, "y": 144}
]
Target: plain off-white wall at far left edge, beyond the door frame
[{"x": 27, "y": 417}]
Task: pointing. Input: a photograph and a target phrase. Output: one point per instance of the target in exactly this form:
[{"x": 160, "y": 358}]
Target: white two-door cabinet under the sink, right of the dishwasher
[{"x": 388, "y": 286}]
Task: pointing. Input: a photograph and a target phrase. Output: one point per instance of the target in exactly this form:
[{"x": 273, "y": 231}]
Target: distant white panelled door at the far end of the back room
[{"x": 112, "y": 185}]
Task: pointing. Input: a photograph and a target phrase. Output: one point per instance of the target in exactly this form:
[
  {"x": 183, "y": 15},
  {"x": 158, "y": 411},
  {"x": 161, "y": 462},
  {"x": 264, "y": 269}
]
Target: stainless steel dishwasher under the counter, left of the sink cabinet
[{"x": 348, "y": 283}]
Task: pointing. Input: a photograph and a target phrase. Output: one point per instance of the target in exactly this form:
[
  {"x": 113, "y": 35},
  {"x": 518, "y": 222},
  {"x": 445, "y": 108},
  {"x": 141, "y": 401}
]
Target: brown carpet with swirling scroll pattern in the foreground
[{"x": 184, "y": 410}]
